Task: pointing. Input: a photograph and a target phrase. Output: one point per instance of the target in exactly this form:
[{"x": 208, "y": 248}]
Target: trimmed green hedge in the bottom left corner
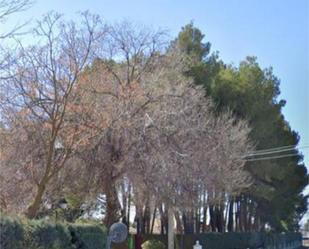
[{"x": 16, "y": 233}]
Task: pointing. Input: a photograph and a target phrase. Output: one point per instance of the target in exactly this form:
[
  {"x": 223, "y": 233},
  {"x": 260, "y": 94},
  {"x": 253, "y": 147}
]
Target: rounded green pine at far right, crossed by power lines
[{"x": 252, "y": 93}]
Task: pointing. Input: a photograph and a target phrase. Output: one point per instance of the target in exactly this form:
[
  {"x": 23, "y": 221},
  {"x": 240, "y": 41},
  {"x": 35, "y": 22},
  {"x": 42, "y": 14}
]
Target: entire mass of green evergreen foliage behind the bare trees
[{"x": 252, "y": 93}]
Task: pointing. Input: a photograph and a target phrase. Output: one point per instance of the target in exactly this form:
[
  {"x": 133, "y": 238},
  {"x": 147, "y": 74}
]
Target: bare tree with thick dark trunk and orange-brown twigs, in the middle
[{"x": 112, "y": 98}]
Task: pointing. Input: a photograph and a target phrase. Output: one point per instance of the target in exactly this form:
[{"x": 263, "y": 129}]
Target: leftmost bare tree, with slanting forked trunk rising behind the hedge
[{"x": 39, "y": 83}]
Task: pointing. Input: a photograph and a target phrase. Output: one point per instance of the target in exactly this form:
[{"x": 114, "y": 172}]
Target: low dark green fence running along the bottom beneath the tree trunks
[{"x": 222, "y": 241}]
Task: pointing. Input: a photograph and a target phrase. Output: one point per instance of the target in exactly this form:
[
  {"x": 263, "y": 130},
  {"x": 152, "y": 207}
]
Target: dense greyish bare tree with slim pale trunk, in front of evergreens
[{"x": 183, "y": 146}]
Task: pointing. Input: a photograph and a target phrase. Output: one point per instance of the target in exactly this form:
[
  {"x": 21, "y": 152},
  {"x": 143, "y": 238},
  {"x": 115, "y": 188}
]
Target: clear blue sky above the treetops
[{"x": 275, "y": 31}]
